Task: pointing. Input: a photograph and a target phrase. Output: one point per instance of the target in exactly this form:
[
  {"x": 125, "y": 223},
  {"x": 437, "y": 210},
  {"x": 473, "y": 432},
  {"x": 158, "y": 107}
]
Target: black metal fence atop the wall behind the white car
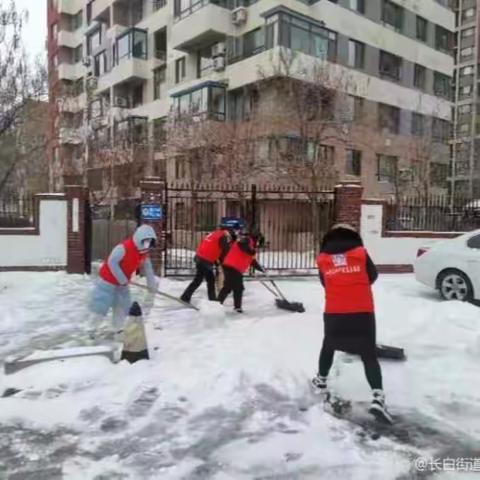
[{"x": 433, "y": 213}]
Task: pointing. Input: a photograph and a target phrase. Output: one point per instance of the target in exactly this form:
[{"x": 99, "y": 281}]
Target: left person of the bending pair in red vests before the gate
[{"x": 212, "y": 249}]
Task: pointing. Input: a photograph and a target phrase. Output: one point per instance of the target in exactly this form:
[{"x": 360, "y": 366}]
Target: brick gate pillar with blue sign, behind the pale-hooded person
[{"x": 153, "y": 192}]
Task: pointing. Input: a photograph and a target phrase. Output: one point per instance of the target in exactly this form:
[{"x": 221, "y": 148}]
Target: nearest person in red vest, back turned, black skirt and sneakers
[{"x": 347, "y": 273}]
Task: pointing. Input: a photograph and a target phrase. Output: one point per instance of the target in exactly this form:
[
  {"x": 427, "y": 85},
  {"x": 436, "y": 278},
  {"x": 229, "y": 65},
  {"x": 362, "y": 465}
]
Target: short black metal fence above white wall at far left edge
[{"x": 17, "y": 210}]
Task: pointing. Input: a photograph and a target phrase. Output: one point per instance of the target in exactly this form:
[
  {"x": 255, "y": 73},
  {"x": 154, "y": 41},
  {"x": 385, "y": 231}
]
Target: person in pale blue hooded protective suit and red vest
[{"x": 111, "y": 290}]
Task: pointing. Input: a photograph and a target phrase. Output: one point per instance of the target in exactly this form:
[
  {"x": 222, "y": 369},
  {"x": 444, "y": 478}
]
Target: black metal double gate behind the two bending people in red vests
[{"x": 292, "y": 222}]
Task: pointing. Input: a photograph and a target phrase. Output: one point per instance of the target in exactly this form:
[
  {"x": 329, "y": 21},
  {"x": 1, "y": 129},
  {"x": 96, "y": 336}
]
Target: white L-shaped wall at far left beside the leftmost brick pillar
[{"x": 48, "y": 249}]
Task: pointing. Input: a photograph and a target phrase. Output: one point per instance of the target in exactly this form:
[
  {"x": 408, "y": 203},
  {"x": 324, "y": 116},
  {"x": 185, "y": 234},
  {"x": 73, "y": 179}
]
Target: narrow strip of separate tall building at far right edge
[{"x": 465, "y": 178}]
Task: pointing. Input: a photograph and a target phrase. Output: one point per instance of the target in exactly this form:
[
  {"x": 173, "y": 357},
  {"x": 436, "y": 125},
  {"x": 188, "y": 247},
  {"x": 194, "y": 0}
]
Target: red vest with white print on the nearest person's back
[{"x": 347, "y": 287}]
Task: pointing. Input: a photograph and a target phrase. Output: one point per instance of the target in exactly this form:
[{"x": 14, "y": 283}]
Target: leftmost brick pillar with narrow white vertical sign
[{"x": 77, "y": 198}]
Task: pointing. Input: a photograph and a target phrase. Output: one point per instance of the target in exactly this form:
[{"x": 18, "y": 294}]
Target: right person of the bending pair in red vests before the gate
[{"x": 238, "y": 260}]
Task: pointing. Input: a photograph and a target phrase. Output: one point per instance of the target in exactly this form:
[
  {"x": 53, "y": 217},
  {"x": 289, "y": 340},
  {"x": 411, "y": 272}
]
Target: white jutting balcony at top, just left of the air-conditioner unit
[{"x": 201, "y": 24}]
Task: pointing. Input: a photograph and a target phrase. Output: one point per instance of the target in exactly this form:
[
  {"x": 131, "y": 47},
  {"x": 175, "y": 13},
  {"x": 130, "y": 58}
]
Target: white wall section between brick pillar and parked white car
[{"x": 387, "y": 250}]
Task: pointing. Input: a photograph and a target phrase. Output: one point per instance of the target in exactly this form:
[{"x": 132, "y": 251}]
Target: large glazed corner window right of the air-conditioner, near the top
[{"x": 306, "y": 37}]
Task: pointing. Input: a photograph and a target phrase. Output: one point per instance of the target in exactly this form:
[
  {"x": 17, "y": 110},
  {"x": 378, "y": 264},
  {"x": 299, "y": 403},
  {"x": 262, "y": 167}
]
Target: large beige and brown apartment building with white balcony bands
[{"x": 123, "y": 69}]
